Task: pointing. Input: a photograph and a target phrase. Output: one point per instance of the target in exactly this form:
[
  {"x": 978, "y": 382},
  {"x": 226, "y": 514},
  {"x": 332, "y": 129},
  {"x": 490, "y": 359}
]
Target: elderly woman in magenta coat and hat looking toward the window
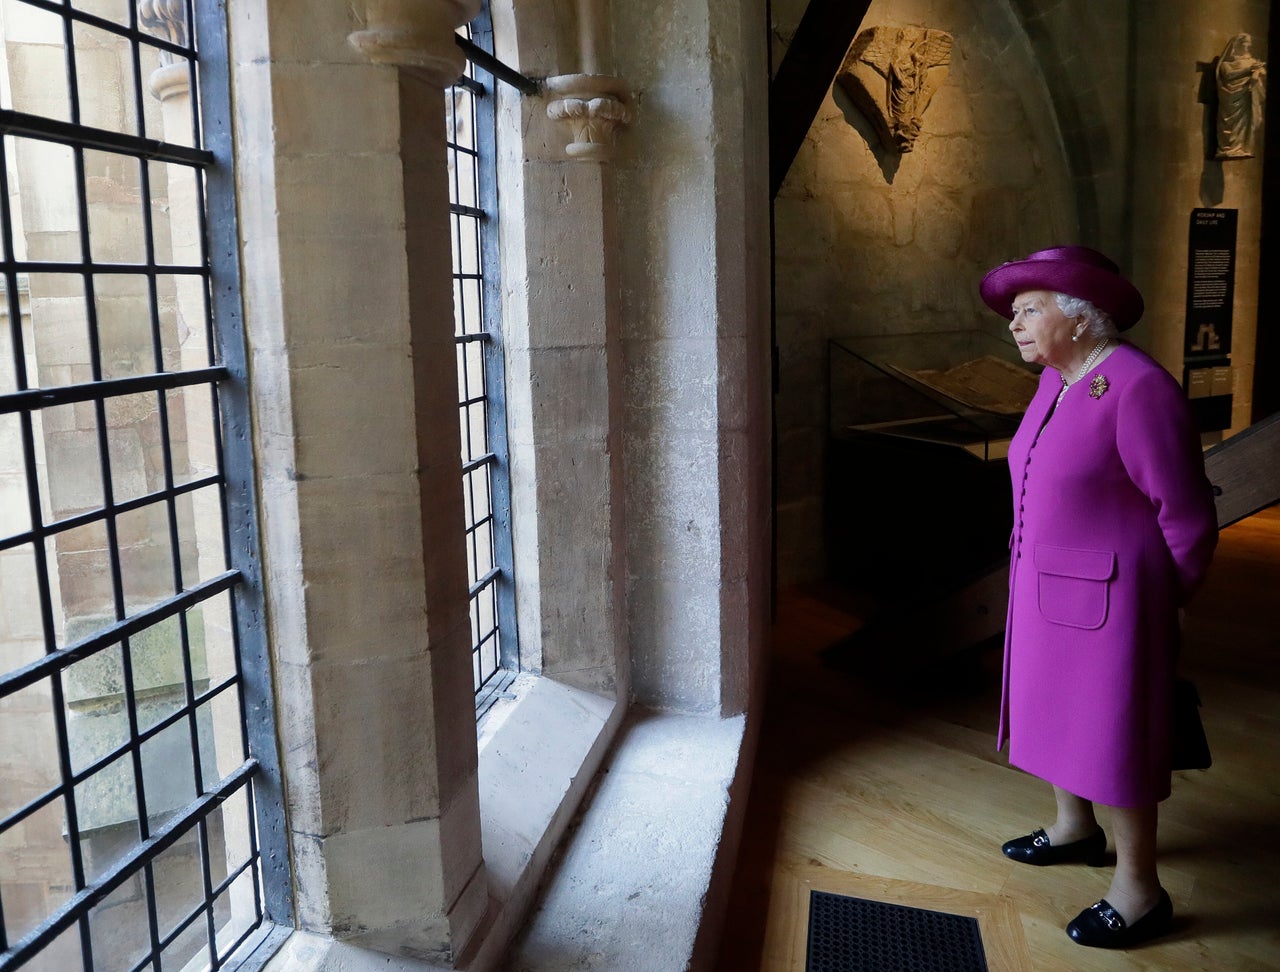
[{"x": 1114, "y": 527}]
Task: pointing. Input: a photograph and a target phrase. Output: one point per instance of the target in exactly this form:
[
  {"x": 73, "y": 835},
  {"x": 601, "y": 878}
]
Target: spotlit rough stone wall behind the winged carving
[{"x": 868, "y": 244}]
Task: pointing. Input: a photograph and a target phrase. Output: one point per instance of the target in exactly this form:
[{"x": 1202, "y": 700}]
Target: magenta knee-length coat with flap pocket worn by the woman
[{"x": 1114, "y": 527}]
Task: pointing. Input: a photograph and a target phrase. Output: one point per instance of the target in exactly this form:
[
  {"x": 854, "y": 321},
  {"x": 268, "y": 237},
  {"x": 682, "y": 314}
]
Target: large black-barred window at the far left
[{"x": 141, "y": 825}]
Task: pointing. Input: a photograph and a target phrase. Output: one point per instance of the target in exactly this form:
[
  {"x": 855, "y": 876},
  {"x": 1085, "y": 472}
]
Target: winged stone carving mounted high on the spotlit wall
[{"x": 892, "y": 74}]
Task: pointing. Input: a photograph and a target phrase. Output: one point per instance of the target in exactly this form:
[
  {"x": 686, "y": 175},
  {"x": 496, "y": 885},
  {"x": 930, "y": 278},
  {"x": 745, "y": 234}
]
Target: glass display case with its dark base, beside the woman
[{"x": 917, "y": 495}]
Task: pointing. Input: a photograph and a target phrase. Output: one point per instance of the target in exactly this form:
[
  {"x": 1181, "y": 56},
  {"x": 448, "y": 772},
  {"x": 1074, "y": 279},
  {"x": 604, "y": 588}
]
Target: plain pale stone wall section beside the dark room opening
[{"x": 691, "y": 190}]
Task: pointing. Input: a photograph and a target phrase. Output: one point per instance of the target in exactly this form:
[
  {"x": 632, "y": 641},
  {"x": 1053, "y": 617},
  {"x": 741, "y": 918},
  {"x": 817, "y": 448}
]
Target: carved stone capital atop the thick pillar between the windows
[{"x": 417, "y": 34}]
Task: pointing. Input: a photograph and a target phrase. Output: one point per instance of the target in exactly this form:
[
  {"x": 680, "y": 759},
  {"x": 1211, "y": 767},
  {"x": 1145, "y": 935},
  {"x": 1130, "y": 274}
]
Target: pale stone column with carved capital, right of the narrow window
[{"x": 561, "y": 231}]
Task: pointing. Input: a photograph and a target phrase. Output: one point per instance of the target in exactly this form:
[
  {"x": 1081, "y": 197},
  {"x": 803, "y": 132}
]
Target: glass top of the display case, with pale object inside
[{"x": 962, "y": 389}]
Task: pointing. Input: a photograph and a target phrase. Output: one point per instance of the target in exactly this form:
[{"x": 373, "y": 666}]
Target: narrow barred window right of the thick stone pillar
[{"x": 486, "y": 482}]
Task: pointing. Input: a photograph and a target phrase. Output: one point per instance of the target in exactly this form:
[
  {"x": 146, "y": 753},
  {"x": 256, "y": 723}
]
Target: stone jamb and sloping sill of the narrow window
[{"x": 541, "y": 750}]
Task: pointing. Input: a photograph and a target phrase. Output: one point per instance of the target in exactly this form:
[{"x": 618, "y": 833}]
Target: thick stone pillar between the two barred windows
[{"x": 346, "y": 261}]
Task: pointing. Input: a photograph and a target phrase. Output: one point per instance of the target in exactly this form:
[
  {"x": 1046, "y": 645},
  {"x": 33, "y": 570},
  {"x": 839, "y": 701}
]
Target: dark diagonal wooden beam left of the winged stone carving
[{"x": 808, "y": 70}]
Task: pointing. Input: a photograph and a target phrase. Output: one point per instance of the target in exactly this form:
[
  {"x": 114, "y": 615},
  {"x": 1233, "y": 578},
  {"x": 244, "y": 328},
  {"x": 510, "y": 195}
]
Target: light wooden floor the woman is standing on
[{"x": 897, "y": 779}]
